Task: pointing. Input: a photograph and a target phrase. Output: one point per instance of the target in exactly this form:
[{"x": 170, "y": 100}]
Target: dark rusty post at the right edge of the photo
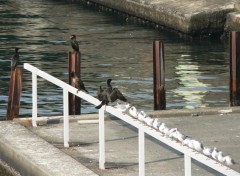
[{"x": 234, "y": 41}]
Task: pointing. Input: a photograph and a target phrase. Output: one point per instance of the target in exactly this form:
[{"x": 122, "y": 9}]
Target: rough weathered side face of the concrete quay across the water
[{"x": 189, "y": 24}]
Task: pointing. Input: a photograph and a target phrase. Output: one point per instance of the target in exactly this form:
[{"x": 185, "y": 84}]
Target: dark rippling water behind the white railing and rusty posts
[{"x": 111, "y": 47}]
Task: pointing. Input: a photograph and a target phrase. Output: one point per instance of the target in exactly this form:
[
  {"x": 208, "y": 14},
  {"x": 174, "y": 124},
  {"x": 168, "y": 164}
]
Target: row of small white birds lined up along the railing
[{"x": 175, "y": 134}]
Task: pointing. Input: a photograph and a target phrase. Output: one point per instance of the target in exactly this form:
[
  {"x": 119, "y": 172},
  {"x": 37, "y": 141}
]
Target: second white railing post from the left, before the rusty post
[{"x": 65, "y": 118}]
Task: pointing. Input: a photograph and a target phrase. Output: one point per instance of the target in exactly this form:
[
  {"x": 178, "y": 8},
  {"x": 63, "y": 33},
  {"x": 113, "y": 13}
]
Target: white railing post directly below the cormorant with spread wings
[{"x": 101, "y": 139}]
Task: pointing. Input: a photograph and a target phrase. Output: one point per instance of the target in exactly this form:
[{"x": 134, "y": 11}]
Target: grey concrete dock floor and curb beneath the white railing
[{"x": 40, "y": 151}]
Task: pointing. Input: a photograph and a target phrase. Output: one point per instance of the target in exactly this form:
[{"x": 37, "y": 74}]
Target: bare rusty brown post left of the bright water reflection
[{"x": 159, "y": 76}]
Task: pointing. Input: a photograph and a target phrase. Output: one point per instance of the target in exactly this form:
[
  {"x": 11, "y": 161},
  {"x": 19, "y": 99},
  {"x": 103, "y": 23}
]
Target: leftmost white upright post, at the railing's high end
[{"x": 34, "y": 100}]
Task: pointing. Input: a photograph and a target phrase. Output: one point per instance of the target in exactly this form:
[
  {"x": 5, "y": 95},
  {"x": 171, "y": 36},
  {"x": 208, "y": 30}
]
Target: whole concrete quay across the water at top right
[{"x": 194, "y": 18}]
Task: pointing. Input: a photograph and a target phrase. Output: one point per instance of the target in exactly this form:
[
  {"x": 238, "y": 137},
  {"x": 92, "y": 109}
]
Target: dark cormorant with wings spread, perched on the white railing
[{"x": 109, "y": 95}]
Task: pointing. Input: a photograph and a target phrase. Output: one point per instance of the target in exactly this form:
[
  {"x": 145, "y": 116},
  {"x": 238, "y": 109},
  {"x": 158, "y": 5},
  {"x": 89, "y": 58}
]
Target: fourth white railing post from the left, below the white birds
[{"x": 141, "y": 154}]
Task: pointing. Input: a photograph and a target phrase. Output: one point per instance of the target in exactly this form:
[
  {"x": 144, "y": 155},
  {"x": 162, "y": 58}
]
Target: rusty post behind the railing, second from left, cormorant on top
[{"x": 74, "y": 102}]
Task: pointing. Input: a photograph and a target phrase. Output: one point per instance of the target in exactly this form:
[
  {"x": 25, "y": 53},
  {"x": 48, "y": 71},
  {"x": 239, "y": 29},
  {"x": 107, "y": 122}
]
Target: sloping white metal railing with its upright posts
[{"x": 142, "y": 129}]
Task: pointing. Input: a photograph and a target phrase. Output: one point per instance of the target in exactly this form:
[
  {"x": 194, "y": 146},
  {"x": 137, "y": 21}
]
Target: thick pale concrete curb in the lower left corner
[{"x": 30, "y": 155}]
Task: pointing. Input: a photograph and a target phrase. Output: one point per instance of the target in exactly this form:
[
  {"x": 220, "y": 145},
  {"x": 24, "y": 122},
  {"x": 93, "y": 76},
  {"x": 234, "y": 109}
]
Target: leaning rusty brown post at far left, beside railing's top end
[{"x": 15, "y": 89}]
